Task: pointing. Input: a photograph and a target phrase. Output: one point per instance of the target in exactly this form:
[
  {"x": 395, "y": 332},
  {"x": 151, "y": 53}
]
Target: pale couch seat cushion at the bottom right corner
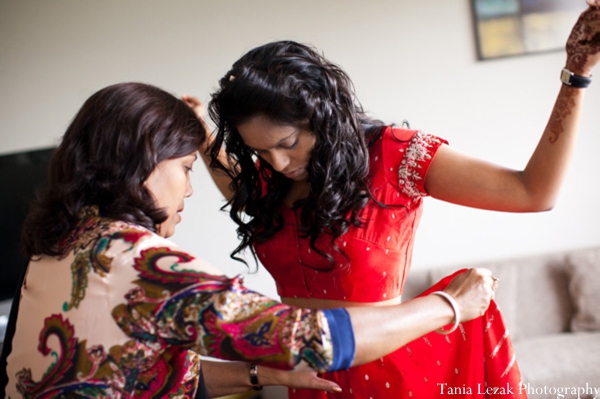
[{"x": 559, "y": 360}]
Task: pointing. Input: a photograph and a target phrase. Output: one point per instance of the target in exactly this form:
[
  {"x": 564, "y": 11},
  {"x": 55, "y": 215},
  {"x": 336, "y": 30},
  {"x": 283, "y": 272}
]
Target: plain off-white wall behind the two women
[{"x": 408, "y": 59}]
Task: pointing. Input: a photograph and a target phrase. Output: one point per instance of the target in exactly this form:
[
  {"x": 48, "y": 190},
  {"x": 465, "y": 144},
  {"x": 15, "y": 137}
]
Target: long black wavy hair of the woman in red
[{"x": 292, "y": 84}]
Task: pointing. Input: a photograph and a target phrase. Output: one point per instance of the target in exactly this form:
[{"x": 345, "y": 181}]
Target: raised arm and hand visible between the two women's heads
[{"x": 221, "y": 179}]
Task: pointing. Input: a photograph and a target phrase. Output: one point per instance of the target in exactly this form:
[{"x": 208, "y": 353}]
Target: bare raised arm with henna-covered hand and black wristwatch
[{"x": 471, "y": 182}]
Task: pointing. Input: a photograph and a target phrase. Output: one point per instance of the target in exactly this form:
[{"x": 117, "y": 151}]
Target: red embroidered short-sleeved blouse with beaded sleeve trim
[{"x": 379, "y": 252}]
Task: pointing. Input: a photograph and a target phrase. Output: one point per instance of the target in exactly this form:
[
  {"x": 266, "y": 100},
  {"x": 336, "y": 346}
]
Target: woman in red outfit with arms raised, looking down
[{"x": 332, "y": 200}]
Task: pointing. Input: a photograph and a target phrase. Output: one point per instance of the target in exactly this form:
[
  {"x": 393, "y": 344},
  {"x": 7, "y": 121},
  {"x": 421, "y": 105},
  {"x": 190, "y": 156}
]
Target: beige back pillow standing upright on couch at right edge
[{"x": 584, "y": 287}]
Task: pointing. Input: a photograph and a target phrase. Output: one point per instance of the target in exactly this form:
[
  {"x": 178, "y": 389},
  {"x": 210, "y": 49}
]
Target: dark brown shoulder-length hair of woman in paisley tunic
[{"x": 109, "y": 150}]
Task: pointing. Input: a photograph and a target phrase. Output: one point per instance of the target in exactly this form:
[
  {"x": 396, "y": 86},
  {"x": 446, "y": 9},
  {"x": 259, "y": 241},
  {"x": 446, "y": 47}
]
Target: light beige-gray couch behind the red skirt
[{"x": 551, "y": 305}]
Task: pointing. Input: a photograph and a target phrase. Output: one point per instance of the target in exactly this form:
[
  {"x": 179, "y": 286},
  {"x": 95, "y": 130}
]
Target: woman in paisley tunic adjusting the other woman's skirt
[{"x": 110, "y": 308}]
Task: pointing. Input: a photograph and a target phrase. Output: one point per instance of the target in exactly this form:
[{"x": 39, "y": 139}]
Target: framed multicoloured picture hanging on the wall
[{"x": 515, "y": 27}]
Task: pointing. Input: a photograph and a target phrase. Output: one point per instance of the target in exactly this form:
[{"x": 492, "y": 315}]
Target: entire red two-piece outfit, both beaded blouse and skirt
[{"x": 477, "y": 356}]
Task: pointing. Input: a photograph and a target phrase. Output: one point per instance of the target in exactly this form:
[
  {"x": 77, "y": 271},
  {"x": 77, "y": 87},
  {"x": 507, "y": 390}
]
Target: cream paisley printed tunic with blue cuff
[{"x": 125, "y": 313}]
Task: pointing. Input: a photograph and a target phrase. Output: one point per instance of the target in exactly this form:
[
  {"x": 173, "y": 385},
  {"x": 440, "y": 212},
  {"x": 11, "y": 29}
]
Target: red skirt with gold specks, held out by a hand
[{"x": 475, "y": 361}]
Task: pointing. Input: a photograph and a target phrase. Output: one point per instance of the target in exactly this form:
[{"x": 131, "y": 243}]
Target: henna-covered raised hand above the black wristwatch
[{"x": 583, "y": 45}]
